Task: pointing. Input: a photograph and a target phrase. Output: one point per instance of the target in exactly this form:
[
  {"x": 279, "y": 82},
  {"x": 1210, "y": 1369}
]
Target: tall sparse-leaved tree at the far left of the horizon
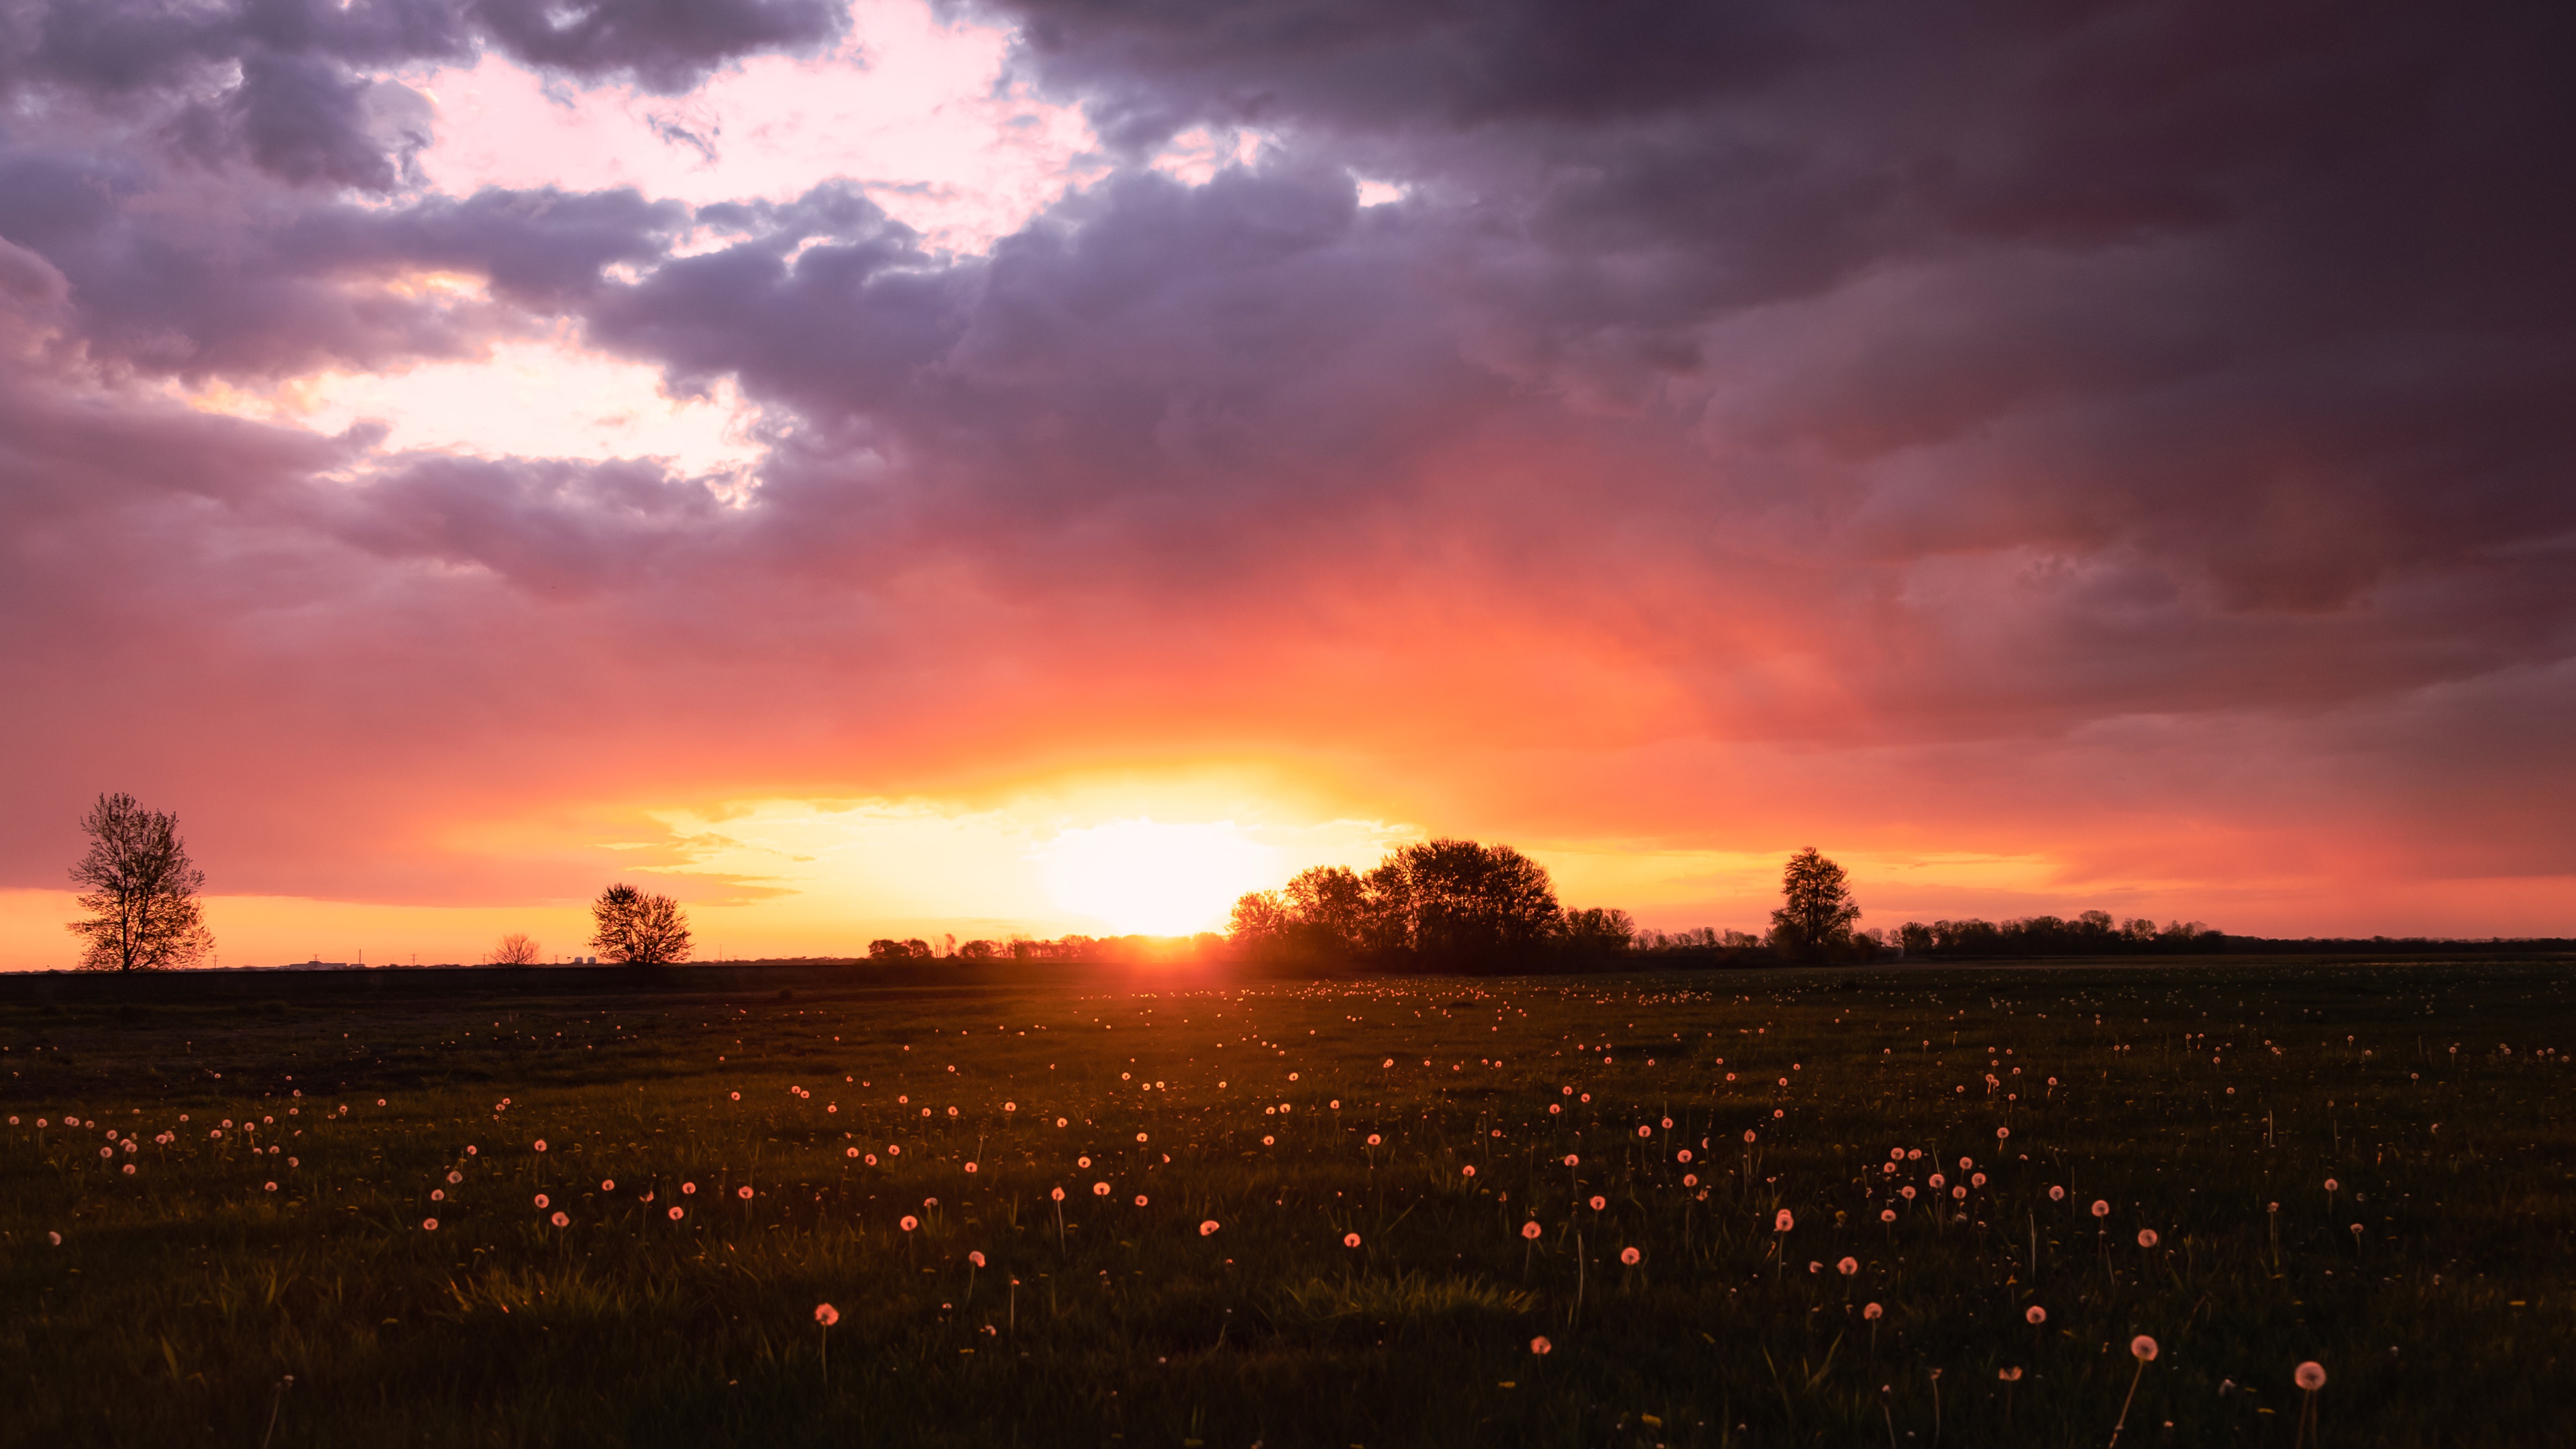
[{"x": 140, "y": 893}]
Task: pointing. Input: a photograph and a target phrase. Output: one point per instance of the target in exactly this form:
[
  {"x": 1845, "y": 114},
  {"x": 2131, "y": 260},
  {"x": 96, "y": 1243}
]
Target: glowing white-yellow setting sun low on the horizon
[{"x": 1155, "y": 880}]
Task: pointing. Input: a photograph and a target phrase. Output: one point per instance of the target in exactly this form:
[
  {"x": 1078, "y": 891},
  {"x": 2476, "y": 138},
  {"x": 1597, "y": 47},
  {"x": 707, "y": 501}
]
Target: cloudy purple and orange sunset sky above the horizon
[{"x": 1029, "y": 468}]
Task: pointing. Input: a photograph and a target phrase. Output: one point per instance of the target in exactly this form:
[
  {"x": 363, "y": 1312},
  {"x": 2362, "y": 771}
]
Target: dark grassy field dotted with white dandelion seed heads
[{"x": 1294, "y": 1213}]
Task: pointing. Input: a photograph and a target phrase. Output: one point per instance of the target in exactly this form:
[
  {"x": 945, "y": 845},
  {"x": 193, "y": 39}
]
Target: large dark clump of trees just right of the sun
[{"x": 1441, "y": 906}]
